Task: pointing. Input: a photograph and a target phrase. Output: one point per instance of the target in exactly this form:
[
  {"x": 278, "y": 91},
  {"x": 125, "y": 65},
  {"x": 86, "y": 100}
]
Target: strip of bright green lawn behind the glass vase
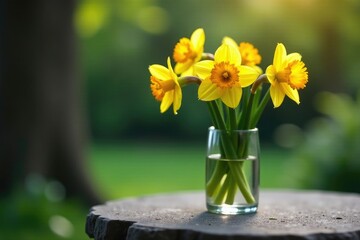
[{"x": 130, "y": 169}]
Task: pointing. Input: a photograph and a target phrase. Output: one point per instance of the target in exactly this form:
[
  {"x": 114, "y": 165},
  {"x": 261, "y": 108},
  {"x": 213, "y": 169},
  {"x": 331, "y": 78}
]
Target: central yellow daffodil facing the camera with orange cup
[{"x": 224, "y": 77}]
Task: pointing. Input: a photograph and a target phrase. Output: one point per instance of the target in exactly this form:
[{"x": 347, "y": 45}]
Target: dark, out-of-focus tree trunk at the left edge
[{"x": 41, "y": 129}]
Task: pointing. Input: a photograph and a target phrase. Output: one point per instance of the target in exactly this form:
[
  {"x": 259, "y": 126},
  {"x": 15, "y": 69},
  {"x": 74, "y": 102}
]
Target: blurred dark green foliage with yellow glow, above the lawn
[{"x": 120, "y": 39}]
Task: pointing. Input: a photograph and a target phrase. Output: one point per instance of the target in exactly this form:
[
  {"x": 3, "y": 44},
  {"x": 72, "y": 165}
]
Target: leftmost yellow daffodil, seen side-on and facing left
[{"x": 165, "y": 86}]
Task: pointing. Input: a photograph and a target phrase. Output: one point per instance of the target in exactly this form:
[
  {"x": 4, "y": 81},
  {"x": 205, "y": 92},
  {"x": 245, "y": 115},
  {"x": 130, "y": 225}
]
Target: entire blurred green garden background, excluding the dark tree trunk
[{"x": 134, "y": 150}]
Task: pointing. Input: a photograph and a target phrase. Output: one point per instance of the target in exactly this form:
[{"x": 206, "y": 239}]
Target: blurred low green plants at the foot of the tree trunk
[{"x": 32, "y": 215}]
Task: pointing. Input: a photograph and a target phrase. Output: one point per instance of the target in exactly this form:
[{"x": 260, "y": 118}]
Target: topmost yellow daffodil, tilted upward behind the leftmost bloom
[{"x": 189, "y": 51}]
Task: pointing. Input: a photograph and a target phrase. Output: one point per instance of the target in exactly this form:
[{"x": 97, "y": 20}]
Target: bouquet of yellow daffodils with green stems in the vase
[{"x": 232, "y": 84}]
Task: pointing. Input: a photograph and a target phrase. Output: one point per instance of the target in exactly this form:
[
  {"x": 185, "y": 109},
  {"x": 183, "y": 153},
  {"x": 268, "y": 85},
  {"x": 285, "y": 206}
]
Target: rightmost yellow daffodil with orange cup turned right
[{"x": 286, "y": 75}]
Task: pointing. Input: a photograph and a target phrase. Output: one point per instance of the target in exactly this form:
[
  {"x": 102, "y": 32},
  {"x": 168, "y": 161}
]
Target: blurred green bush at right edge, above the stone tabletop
[{"x": 329, "y": 157}]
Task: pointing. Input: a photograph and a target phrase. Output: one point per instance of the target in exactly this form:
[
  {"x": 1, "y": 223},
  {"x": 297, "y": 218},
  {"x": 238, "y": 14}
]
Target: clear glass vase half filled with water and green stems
[{"x": 232, "y": 171}]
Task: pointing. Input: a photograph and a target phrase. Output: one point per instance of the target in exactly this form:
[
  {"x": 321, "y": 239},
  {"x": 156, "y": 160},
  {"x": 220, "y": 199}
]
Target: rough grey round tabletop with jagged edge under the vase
[{"x": 281, "y": 215}]
